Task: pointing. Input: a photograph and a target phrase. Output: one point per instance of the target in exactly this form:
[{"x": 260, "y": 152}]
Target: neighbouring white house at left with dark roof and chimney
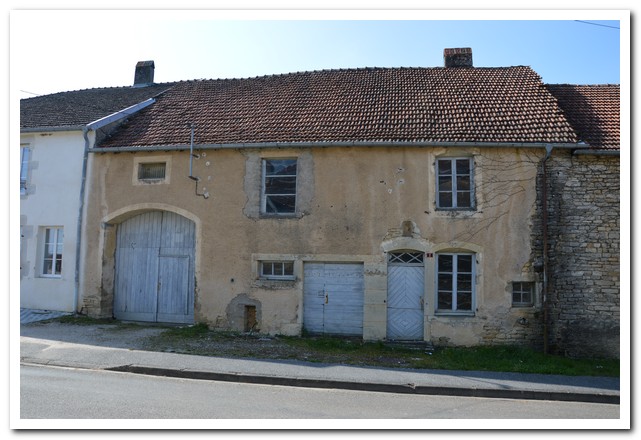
[{"x": 56, "y": 131}]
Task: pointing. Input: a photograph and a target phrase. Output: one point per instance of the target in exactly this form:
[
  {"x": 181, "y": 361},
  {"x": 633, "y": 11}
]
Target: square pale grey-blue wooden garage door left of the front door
[{"x": 333, "y": 298}]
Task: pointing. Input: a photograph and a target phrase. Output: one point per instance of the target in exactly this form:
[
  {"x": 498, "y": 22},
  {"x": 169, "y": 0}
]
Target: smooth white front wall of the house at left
[{"x": 51, "y": 199}]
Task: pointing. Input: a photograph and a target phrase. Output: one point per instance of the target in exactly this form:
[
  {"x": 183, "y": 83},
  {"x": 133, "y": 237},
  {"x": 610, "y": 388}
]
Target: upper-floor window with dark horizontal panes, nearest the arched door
[{"x": 279, "y": 186}]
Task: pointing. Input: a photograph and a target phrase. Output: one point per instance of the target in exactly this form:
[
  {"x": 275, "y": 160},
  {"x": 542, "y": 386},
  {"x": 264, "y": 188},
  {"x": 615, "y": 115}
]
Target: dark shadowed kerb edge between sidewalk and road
[{"x": 377, "y": 387}]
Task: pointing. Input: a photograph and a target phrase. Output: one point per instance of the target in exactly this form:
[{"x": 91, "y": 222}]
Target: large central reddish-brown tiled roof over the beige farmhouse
[{"x": 368, "y": 104}]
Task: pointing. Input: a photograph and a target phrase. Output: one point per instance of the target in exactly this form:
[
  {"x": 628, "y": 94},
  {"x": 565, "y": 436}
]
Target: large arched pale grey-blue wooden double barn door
[{"x": 154, "y": 279}]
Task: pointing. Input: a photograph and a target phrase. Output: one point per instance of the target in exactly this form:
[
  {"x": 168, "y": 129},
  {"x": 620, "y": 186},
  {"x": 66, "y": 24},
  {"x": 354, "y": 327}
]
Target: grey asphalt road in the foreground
[{"x": 67, "y": 393}]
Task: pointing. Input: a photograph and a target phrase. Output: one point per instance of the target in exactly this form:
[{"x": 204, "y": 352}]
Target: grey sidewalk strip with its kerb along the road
[{"x": 301, "y": 374}]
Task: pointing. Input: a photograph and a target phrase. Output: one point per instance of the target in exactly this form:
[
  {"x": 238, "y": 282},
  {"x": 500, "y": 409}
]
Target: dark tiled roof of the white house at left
[{"x": 77, "y": 108}]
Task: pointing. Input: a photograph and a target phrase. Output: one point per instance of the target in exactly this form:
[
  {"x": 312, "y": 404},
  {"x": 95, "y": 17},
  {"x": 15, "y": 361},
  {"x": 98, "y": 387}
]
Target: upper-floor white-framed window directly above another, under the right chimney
[{"x": 455, "y": 183}]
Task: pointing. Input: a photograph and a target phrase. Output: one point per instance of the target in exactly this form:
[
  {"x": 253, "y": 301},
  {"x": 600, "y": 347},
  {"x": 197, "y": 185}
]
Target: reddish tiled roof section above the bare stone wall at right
[{"x": 593, "y": 111}]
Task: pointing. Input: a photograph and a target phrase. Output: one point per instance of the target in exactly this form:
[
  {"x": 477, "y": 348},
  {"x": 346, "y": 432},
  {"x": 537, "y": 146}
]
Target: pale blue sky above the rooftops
[{"x": 101, "y": 48}]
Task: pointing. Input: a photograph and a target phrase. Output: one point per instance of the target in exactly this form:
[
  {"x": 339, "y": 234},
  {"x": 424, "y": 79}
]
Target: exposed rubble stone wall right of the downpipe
[{"x": 584, "y": 257}]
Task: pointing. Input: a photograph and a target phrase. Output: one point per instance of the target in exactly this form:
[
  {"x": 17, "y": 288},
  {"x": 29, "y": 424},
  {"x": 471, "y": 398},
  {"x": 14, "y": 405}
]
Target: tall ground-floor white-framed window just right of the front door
[{"x": 455, "y": 283}]
